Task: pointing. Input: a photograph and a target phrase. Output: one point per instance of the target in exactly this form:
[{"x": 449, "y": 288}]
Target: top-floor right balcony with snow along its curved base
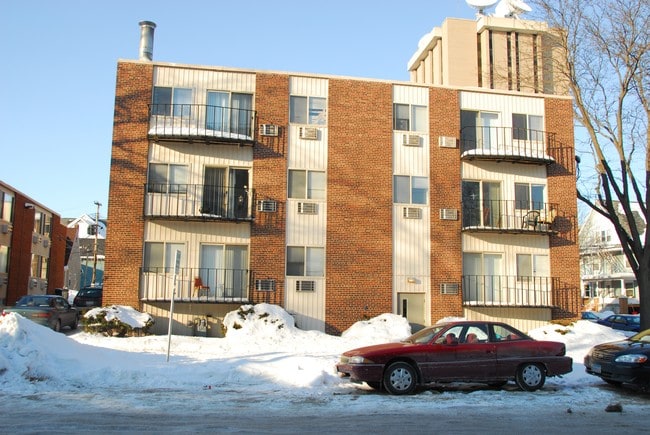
[{"x": 506, "y": 144}]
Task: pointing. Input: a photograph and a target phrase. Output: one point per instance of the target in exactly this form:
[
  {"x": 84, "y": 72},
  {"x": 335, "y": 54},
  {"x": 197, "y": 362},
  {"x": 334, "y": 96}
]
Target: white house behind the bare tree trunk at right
[{"x": 605, "y": 273}]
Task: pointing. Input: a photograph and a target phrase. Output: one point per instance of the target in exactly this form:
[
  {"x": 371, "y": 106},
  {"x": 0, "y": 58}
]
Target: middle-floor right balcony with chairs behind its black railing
[{"x": 513, "y": 217}]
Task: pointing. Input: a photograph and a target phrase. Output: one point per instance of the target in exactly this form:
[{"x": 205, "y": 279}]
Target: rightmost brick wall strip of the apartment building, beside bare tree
[{"x": 565, "y": 255}]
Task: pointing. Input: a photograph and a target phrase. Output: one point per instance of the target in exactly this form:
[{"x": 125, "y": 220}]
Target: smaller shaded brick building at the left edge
[{"x": 32, "y": 247}]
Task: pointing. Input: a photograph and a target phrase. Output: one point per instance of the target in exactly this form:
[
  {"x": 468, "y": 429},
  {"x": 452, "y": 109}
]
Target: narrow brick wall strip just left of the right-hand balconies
[{"x": 446, "y": 247}]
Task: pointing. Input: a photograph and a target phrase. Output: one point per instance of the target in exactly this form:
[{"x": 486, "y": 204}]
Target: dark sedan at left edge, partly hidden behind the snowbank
[{"x": 48, "y": 310}]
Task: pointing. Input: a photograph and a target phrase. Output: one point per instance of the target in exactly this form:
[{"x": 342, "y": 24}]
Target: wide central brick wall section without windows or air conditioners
[{"x": 359, "y": 203}]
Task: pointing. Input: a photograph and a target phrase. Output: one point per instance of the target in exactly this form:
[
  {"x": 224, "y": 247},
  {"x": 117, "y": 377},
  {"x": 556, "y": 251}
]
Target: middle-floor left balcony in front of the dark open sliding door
[{"x": 197, "y": 202}]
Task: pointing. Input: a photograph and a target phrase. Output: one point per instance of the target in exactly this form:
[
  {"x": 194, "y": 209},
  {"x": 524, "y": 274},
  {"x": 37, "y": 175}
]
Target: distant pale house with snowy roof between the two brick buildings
[{"x": 81, "y": 263}]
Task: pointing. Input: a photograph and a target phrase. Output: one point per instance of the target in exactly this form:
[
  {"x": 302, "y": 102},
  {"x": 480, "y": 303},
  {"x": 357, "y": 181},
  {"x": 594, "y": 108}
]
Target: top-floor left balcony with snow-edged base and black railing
[{"x": 202, "y": 123}]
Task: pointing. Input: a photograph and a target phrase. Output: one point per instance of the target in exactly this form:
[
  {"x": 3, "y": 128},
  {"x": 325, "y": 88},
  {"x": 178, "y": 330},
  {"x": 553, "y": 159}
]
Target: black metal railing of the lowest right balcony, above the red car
[{"x": 501, "y": 290}]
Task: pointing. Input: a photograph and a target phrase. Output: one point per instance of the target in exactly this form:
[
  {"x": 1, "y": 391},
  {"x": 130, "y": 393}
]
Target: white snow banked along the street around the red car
[{"x": 261, "y": 352}]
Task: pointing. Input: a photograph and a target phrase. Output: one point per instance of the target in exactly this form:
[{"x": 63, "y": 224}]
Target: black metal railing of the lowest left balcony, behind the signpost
[{"x": 195, "y": 285}]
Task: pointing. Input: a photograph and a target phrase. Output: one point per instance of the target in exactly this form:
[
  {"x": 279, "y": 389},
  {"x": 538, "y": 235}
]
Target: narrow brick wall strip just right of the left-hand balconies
[{"x": 267, "y": 243}]
